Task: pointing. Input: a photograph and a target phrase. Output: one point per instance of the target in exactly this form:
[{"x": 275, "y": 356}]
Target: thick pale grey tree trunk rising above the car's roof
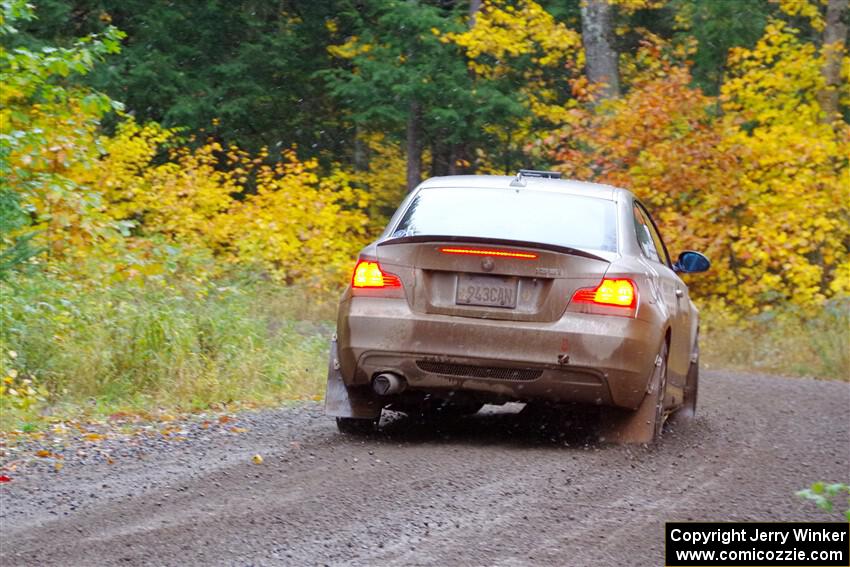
[{"x": 597, "y": 35}]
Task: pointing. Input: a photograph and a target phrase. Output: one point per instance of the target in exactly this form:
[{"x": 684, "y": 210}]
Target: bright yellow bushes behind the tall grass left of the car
[{"x": 281, "y": 216}]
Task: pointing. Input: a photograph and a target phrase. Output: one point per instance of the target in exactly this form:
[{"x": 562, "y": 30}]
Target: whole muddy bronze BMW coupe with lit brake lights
[{"x": 488, "y": 289}]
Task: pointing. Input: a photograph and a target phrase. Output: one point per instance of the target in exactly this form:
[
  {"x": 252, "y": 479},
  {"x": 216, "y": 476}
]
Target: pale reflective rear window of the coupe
[{"x": 532, "y": 216}]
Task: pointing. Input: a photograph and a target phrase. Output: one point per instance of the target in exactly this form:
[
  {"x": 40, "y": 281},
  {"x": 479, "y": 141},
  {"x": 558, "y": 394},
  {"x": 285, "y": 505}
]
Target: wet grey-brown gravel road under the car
[{"x": 492, "y": 489}]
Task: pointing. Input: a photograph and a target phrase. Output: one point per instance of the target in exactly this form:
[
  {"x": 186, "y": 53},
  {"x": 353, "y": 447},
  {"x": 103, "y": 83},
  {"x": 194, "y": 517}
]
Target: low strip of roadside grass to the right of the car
[{"x": 786, "y": 341}]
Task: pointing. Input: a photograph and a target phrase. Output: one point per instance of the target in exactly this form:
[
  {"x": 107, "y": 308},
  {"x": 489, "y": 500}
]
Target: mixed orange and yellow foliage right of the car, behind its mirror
[{"x": 762, "y": 188}]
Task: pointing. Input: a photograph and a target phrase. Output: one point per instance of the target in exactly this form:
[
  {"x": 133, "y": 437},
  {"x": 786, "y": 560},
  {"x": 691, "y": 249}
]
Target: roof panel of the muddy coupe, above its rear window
[{"x": 567, "y": 186}]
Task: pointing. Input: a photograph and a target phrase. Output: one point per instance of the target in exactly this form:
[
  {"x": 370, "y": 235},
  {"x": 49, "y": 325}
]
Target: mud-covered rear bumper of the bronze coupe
[{"x": 579, "y": 358}]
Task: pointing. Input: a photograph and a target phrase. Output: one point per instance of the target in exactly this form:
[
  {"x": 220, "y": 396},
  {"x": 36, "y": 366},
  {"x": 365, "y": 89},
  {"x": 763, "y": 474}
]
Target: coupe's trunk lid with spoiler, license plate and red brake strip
[{"x": 490, "y": 278}]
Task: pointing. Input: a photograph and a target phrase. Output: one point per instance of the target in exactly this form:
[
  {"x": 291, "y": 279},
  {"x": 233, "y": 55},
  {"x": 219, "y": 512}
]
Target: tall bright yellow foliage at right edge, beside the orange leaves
[{"x": 796, "y": 175}]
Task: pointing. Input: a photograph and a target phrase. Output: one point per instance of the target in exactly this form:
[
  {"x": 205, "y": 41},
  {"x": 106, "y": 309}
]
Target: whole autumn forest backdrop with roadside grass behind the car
[{"x": 178, "y": 175}]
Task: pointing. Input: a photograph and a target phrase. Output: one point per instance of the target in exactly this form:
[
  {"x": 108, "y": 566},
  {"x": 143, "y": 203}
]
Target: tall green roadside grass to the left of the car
[{"x": 176, "y": 346}]
